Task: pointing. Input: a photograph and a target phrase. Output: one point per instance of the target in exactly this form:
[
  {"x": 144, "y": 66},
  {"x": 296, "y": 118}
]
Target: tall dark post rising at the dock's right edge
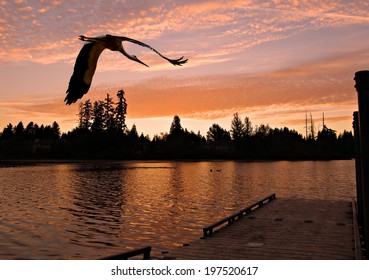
[{"x": 362, "y": 88}]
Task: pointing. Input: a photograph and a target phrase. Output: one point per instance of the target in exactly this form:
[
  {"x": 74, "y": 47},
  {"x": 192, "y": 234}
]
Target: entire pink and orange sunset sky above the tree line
[{"x": 273, "y": 61}]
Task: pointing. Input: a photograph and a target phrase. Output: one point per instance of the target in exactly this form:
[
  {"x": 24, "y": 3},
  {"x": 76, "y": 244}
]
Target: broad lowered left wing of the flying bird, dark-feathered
[{"x": 84, "y": 70}]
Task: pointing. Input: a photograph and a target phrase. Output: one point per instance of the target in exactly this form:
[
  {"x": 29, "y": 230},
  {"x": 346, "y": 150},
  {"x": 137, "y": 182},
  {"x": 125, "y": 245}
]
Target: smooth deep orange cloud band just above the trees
[{"x": 219, "y": 96}]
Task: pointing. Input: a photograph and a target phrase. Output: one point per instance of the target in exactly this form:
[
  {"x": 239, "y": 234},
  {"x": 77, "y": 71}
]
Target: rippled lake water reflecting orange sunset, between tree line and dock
[{"x": 87, "y": 210}]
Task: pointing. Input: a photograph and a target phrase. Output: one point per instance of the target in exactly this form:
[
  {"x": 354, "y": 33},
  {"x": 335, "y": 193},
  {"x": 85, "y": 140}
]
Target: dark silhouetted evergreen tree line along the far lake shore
[{"x": 101, "y": 133}]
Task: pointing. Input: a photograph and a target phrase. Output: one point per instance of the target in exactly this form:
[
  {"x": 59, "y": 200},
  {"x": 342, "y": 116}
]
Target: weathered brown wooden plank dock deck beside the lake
[{"x": 284, "y": 229}]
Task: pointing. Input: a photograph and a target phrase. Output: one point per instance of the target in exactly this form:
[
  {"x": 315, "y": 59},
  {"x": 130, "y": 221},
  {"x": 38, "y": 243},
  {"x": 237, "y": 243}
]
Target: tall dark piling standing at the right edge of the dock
[{"x": 361, "y": 132}]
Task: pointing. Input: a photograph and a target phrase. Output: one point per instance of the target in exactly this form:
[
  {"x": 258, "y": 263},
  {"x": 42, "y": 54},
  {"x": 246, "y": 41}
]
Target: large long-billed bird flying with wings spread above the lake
[{"x": 86, "y": 62}]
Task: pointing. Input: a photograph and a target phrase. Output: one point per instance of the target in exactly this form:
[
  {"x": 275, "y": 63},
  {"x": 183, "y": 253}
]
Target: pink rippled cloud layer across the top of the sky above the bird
[{"x": 47, "y": 33}]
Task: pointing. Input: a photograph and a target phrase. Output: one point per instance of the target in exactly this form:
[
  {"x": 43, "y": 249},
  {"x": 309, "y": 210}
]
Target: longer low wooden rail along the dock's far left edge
[{"x": 208, "y": 231}]
